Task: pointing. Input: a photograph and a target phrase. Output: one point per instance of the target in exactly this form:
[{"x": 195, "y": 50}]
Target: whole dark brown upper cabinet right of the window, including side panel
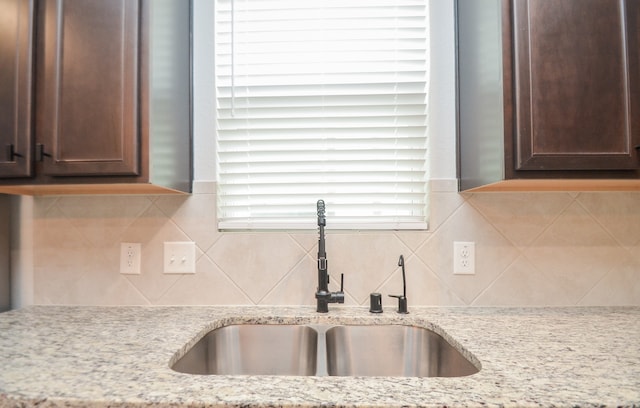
[{"x": 549, "y": 90}]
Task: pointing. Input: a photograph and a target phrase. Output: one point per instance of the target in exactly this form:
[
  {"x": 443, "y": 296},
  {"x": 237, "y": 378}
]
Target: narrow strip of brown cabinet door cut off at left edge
[{"x": 16, "y": 22}]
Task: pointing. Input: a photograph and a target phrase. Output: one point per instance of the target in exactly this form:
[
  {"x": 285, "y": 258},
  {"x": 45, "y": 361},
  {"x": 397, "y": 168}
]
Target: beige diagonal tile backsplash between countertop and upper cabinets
[{"x": 532, "y": 249}]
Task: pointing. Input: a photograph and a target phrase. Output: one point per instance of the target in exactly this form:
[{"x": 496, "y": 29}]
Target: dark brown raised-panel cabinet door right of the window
[{"x": 576, "y": 80}]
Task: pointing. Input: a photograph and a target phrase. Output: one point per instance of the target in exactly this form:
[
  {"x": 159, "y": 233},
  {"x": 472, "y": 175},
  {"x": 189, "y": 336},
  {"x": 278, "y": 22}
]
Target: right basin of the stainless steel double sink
[{"x": 393, "y": 350}]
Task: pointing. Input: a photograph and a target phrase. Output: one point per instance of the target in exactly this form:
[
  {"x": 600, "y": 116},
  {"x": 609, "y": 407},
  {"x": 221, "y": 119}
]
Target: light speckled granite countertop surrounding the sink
[{"x": 57, "y": 356}]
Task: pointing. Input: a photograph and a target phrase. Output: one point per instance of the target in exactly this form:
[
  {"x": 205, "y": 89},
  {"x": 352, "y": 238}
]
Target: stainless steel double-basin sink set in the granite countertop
[{"x": 321, "y": 350}]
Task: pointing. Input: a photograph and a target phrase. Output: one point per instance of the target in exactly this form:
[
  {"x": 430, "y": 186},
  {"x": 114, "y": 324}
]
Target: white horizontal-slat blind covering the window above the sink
[{"x": 323, "y": 99}]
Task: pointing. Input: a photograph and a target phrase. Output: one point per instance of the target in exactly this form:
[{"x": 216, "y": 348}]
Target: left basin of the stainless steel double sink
[{"x": 253, "y": 350}]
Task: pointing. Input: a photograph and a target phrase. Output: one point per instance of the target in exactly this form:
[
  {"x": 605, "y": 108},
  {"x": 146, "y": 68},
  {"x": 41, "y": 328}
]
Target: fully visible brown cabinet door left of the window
[{"x": 87, "y": 87}]
